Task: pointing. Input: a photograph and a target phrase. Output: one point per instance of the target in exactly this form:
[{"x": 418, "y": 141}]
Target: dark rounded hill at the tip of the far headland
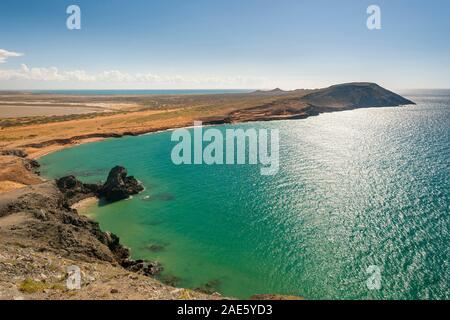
[{"x": 355, "y": 95}]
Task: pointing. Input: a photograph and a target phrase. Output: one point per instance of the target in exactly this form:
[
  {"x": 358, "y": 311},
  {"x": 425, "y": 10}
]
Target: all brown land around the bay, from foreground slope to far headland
[{"x": 40, "y": 232}]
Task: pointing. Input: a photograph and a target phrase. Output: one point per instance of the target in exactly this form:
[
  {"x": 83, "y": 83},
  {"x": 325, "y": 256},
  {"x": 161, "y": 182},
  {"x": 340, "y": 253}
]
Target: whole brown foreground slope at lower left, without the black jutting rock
[{"x": 37, "y": 246}]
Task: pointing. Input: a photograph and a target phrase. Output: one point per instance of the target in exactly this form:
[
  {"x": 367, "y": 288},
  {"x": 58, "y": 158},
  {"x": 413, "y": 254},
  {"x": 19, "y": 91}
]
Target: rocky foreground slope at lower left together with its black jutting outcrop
[{"x": 40, "y": 235}]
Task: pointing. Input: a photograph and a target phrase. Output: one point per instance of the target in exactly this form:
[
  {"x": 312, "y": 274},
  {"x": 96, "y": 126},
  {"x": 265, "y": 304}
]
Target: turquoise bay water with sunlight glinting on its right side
[{"x": 355, "y": 189}]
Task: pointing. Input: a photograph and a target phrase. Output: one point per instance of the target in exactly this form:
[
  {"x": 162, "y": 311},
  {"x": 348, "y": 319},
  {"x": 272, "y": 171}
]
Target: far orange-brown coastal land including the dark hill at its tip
[{"x": 141, "y": 114}]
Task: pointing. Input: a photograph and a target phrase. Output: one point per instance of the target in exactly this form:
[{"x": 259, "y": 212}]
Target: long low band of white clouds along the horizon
[{"x": 117, "y": 77}]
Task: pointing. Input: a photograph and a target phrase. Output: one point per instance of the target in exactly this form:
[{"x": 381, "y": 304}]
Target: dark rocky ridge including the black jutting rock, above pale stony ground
[{"x": 61, "y": 229}]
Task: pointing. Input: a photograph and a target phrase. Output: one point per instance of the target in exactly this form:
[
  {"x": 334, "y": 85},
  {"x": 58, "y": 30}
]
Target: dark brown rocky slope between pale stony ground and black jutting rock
[{"x": 52, "y": 224}]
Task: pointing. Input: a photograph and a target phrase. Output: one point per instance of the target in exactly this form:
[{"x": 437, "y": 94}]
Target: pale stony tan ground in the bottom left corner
[{"x": 26, "y": 273}]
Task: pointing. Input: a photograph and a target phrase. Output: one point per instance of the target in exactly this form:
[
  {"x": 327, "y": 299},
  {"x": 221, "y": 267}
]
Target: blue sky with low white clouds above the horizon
[{"x": 146, "y": 44}]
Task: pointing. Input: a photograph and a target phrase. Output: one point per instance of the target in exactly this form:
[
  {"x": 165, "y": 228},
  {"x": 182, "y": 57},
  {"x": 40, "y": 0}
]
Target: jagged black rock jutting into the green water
[{"x": 119, "y": 186}]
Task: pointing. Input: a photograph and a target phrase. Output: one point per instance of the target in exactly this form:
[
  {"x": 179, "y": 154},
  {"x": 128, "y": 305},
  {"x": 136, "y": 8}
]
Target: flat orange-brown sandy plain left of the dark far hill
[{"x": 132, "y": 115}]
